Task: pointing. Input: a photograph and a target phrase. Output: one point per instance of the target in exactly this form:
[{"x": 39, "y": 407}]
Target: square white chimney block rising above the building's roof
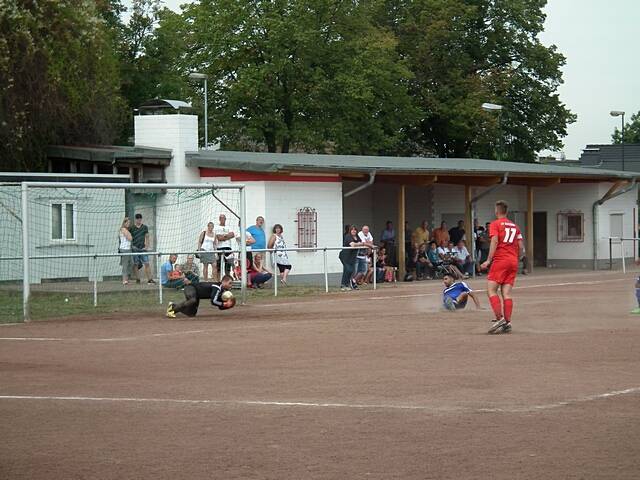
[{"x": 177, "y": 132}]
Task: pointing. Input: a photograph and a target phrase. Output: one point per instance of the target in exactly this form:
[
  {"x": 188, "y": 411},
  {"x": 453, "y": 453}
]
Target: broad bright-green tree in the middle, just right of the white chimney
[{"x": 311, "y": 75}]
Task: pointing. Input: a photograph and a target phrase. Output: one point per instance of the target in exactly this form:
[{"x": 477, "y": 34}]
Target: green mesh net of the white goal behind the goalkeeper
[{"x": 86, "y": 248}]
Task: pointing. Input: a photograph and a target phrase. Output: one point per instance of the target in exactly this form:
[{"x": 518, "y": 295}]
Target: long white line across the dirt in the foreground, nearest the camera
[{"x": 359, "y": 406}]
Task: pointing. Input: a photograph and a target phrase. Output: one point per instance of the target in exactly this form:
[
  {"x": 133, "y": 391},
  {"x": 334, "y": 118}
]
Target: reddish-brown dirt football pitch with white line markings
[{"x": 371, "y": 385}]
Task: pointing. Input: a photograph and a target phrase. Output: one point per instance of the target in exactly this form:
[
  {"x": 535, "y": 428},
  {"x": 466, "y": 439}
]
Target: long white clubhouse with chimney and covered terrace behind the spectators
[{"x": 567, "y": 213}]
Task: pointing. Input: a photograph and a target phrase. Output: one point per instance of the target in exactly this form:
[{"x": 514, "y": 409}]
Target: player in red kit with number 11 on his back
[{"x": 504, "y": 256}]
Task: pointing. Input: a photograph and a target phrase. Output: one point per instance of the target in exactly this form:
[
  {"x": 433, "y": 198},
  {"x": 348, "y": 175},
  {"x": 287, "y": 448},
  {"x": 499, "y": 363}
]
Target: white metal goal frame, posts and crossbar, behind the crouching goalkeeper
[{"x": 26, "y": 186}]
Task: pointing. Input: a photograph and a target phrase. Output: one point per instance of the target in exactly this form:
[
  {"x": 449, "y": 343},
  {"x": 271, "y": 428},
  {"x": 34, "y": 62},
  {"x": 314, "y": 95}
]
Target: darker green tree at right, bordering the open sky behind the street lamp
[{"x": 465, "y": 53}]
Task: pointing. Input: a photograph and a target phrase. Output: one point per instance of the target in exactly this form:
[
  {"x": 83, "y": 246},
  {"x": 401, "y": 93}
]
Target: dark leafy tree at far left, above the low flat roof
[{"x": 58, "y": 80}]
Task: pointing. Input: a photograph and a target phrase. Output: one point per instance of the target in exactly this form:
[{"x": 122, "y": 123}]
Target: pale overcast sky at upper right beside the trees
[{"x": 602, "y": 73}]
